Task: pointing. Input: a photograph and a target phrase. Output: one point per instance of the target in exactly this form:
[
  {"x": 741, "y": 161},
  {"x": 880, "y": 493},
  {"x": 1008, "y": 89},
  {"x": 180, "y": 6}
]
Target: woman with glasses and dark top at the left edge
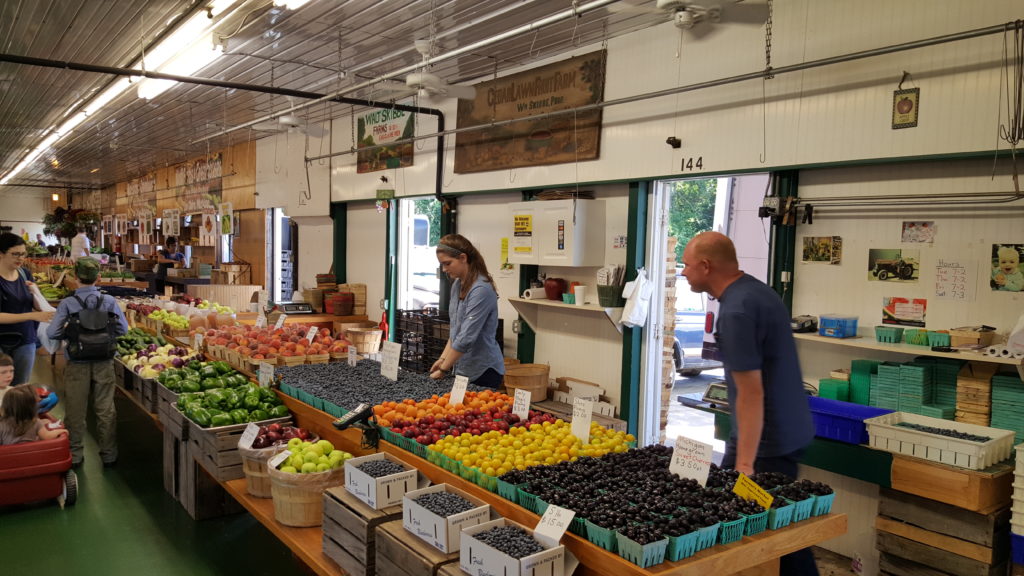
[{"x": 18, "y": 309}]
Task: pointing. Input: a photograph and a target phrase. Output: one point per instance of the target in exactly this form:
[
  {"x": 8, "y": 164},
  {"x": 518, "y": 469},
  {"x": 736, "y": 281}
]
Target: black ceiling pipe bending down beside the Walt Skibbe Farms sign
[{"x": 80, "y": 67}]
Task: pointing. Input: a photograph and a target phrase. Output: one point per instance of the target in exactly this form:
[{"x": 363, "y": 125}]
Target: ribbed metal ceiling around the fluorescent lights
[{"x": 325, "y": 47}]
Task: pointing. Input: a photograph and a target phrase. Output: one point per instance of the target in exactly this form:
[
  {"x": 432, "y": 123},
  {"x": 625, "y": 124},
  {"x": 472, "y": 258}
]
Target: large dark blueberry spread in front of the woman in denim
[{"x": 349, "y": 387}]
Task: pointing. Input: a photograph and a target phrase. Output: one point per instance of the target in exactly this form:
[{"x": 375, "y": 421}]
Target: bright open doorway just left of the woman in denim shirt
[{"x": 419, "y": 226}]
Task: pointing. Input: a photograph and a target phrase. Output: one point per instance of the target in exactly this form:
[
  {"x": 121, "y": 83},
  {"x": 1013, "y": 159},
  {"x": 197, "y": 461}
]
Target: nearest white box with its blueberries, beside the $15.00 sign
[{"x": 514, "y": 553}]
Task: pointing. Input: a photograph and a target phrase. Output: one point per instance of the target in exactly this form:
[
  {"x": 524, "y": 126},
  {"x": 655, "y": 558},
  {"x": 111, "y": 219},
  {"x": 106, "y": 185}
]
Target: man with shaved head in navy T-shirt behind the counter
[{"x": 772, "y": 421}]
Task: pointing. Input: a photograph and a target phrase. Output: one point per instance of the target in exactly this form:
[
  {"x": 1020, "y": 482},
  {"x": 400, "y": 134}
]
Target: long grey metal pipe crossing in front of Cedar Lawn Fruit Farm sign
[{"x": 1016, "y": 25}]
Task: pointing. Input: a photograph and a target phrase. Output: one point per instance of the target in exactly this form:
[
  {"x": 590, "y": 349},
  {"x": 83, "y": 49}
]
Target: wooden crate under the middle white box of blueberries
[{"x": 402, "y": 554}]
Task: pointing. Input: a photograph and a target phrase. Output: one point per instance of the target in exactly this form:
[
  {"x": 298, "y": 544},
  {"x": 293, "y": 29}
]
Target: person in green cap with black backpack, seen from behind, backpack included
[{"x": 91, "y": 323}]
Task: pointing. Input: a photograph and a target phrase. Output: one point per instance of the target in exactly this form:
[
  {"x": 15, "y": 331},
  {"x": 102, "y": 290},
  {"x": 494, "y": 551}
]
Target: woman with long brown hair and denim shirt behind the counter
[{"x": 473, "y": 349}]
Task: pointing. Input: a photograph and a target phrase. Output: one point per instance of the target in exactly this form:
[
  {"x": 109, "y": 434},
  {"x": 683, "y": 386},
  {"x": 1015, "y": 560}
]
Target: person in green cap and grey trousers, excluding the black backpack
[{"x": 86, "y": 377}]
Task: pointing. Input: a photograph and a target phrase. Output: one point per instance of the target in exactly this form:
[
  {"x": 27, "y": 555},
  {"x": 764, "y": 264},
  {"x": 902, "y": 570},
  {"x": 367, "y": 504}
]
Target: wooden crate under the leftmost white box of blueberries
[{"x": 350, "y": 530}]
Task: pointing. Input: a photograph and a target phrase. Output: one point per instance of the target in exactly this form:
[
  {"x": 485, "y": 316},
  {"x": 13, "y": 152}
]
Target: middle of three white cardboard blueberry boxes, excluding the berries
[{"x": 442, "y": 533}]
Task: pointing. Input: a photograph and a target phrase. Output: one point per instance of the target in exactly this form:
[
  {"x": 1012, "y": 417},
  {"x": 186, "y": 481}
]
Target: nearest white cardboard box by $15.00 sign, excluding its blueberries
[{"x": 479, "y": 559}]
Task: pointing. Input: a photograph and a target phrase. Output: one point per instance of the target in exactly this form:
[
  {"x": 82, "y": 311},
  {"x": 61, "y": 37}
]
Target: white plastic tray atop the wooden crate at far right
[{"x": 884, "y": 434}]
